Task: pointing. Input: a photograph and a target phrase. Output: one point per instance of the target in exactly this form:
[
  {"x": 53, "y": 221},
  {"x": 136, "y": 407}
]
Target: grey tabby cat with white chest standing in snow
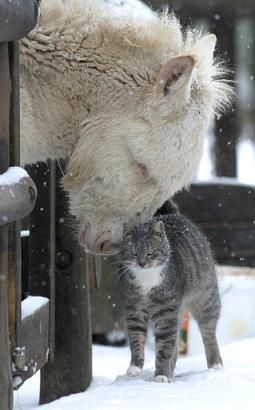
[{"x": 166, "y": 265}]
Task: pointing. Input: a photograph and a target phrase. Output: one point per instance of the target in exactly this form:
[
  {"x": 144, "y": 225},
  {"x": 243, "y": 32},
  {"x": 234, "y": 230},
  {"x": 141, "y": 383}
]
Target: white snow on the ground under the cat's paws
[{"x": 194, "y": 387}]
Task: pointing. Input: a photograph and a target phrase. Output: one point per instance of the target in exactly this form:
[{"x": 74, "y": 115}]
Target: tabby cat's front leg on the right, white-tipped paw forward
[{"x": 166, "y": 332}]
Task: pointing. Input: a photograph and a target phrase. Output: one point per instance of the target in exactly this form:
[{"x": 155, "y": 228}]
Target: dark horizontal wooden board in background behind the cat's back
[{"x": 226, "y": 214}]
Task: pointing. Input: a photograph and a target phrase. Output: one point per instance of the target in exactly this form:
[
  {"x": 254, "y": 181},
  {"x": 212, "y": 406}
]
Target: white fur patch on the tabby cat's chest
[{"x": 148, "y": 278}]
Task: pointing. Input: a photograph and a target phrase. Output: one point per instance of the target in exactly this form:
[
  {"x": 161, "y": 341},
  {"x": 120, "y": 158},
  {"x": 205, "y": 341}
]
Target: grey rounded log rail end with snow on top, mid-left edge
[{"x": 16, "y": 200}]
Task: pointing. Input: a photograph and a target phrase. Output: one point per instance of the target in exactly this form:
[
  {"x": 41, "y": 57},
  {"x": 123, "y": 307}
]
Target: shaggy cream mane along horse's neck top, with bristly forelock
[{"x": 69, "y": 29}]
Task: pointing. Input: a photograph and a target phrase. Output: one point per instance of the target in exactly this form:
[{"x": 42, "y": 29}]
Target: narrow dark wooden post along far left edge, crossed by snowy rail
[{"x": 5, "y": 357}]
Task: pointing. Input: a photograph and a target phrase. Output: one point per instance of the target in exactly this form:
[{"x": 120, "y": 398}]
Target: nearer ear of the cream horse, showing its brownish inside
[{"x": 175, "y": 76}]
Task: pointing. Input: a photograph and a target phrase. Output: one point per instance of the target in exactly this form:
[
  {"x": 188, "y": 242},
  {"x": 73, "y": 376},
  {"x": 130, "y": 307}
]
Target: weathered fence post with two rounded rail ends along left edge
[{"x": 14, "y": 23}]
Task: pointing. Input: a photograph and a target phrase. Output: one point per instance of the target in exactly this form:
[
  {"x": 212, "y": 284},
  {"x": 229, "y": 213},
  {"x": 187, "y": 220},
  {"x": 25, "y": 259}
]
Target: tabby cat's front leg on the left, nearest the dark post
[{"x": 137, "y": 329}]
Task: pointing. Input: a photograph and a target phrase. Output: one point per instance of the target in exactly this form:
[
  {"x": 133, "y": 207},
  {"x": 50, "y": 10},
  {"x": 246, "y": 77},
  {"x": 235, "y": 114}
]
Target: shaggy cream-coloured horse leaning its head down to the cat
[{"x": 126, "y": 102}]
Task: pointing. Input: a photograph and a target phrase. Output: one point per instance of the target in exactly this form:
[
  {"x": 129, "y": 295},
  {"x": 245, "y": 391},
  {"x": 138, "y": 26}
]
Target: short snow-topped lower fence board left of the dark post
[{"x": 35, "y": 338}]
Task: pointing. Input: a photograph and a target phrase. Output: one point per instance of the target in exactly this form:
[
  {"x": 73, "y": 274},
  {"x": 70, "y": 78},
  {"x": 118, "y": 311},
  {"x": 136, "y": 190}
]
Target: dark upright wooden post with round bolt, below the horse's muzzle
[{"x": 70, "y": 371}]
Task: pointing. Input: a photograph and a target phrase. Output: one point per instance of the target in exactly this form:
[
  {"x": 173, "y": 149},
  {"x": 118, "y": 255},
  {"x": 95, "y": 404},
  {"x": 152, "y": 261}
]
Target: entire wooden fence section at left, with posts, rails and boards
[{"x": 50, "y": 328}]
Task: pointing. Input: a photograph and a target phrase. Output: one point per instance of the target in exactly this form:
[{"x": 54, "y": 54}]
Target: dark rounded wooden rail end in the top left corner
[{"x": 17, "y": 18}]
